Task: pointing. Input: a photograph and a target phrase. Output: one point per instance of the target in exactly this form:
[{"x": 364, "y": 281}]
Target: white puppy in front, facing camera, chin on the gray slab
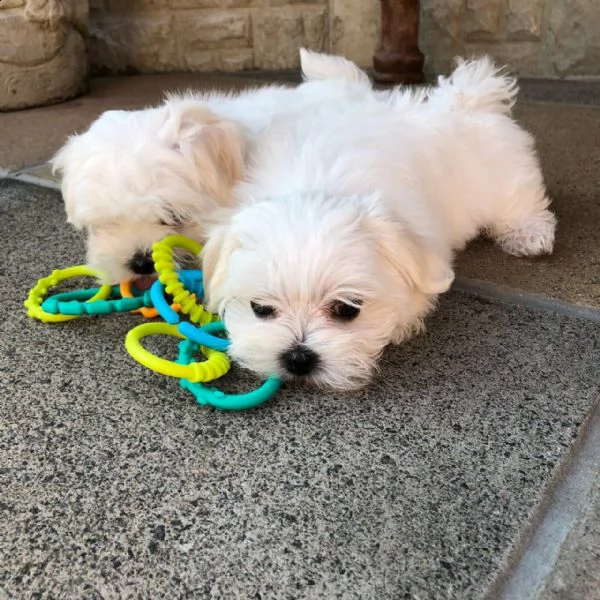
[{"x": 344, "y": 231}]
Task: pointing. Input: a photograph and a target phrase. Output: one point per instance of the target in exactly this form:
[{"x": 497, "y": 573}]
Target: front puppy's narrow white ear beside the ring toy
[{"x": 222, "y": 242}]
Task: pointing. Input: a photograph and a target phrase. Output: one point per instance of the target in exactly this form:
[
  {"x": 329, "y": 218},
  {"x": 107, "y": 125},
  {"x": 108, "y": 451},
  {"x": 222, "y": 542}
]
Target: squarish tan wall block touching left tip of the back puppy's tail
[{"x": 279, "y": 33}]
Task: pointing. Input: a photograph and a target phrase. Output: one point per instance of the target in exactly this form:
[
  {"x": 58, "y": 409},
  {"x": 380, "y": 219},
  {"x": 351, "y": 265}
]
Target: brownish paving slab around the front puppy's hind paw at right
[{"x": 567, "y": 139}]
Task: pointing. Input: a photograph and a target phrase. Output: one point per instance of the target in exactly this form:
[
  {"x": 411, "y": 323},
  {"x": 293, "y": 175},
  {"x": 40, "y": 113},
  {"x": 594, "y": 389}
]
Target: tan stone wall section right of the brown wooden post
[{"x": 541, "y": 38}]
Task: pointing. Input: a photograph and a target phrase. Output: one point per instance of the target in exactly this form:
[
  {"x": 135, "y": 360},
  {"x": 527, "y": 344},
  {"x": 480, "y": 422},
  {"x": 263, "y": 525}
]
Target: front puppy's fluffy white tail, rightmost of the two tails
[{"x": 477, "y": 85}]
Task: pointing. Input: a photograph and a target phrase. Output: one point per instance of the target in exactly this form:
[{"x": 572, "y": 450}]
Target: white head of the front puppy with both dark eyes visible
[{"x": 313, "y": 288}]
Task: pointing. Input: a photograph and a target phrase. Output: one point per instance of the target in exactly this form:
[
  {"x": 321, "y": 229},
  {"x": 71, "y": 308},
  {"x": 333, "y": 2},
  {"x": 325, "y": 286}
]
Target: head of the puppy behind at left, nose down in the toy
[{"x": 136, "y": 176}]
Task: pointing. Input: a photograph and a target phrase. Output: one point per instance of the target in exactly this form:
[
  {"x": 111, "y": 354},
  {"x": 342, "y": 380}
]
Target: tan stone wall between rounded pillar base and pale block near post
[{"x": 228, "y": 35}]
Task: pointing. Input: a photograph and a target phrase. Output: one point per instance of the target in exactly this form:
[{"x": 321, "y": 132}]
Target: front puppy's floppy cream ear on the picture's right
[{"x": 411, "y": 258}]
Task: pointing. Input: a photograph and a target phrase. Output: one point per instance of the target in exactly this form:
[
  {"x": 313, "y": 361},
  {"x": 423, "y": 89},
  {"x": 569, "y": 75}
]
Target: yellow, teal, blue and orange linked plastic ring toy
[{"x": 202, "y": 334}]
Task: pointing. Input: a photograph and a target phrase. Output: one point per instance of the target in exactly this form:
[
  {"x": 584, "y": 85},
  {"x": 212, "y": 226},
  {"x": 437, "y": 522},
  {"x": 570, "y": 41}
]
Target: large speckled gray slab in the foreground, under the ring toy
[{"x": 113, "y": 483}]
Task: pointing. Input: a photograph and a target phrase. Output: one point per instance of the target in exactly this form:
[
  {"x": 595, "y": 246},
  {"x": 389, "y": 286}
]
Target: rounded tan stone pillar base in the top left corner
[{"x": 42, "y": 51}]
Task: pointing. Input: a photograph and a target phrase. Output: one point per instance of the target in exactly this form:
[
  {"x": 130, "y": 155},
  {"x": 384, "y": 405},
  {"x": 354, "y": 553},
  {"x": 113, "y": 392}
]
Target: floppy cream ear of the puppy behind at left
[{"x": 216, "y": 145}]
